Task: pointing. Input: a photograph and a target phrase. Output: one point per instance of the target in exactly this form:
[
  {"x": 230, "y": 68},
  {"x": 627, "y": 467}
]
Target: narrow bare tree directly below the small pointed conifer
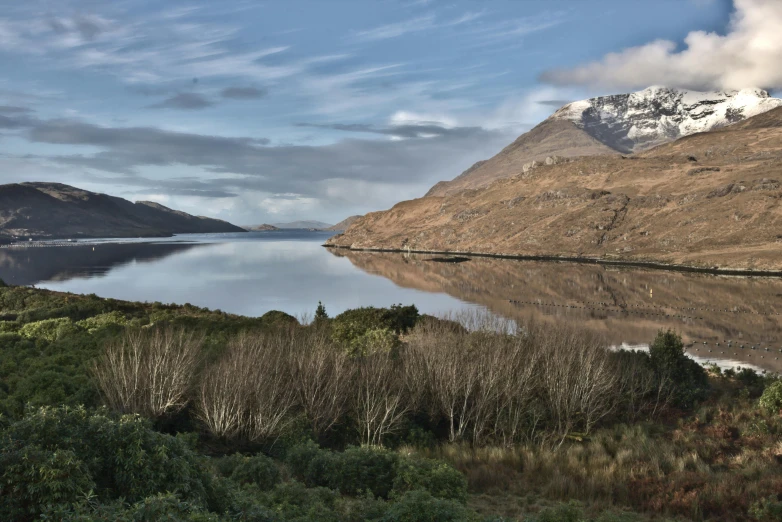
[{"x": 323, "y": 378}]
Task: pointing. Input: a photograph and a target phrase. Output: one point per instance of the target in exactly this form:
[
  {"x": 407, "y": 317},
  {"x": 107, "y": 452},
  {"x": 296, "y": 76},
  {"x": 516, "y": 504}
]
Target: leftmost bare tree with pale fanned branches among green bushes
[{"x": 148, "y": 372}]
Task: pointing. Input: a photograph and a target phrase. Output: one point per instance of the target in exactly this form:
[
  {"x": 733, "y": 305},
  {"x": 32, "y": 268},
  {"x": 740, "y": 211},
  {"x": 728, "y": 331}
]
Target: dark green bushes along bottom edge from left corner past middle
[{"x": 72, "y": 464}]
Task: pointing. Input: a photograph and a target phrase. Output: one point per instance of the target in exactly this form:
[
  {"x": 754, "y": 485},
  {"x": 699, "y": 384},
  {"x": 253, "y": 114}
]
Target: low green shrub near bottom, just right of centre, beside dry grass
[{"x": 440, "y": 479}]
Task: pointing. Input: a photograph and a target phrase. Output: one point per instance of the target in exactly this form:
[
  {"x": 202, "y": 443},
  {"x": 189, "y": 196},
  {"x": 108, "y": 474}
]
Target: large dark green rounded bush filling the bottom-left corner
[{"x": 79, "y": 452}]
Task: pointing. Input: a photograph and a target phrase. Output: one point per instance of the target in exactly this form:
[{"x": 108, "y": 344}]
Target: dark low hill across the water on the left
[{"x": 54, "y": 210}]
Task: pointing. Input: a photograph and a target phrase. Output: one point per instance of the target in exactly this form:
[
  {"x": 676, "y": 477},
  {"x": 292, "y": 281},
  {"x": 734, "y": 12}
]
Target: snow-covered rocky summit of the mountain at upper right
[{"x": 640, "y": 120}]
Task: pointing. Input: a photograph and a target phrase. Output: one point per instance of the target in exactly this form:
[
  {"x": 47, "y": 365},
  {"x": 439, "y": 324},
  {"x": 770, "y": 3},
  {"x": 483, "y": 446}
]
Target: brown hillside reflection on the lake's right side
[{"x": 625, "y": 305}]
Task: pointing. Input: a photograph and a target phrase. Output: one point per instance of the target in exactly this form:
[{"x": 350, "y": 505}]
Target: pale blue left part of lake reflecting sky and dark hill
[{"x": 247, "y": 274}]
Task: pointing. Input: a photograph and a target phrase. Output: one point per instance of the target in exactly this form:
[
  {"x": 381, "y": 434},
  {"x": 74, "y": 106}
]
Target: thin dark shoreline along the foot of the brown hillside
[{"x": 654, "y": 265}]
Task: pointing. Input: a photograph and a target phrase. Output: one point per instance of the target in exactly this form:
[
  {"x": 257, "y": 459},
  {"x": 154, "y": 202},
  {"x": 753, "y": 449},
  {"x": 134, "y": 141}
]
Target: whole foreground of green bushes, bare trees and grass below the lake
[{"x": 115, "y": 410}]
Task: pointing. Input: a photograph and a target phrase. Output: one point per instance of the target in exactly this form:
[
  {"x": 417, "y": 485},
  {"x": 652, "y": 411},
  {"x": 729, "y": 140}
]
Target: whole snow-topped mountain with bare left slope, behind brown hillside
[{"x": 619, "y": 124}]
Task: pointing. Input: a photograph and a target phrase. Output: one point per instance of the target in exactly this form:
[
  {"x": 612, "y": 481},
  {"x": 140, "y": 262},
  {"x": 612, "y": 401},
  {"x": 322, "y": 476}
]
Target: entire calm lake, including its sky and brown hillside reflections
[{"x": 726, "y": 319}]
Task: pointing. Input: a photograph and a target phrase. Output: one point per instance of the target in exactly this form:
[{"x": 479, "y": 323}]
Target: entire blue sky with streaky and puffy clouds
[{"x": 271, "y": 111}]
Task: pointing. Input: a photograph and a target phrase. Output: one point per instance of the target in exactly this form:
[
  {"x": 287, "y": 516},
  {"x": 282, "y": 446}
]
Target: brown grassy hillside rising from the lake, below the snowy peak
[{"x": 709, "y": 199}]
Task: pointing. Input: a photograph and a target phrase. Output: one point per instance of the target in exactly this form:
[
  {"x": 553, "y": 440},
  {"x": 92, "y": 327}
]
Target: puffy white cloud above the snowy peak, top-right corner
[{"x": 748, "y": 55}]
